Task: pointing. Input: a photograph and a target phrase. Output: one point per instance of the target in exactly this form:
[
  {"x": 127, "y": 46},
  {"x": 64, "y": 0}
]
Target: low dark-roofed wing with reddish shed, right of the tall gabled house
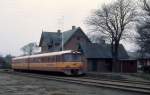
[{"x": 99, "y": 58}]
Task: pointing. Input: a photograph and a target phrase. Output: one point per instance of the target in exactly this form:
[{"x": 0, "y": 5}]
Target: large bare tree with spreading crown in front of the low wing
[{"x": 112, "y": 21}]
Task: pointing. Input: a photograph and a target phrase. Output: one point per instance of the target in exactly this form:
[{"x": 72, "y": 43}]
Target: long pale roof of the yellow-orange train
[{"x": 45, "y": 54}]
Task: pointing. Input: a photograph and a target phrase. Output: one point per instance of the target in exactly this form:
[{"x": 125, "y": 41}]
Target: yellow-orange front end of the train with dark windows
[{"x": 73, "y": 64}]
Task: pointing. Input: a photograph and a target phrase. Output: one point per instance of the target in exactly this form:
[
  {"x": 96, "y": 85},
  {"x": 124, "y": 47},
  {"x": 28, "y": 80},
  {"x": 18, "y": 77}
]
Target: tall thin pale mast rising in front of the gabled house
[{"x": 61, "y": 26}]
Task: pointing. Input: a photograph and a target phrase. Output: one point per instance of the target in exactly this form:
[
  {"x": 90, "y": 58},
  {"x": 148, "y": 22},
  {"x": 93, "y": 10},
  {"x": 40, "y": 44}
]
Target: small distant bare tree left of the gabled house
[{"x": 30, "y": 48}]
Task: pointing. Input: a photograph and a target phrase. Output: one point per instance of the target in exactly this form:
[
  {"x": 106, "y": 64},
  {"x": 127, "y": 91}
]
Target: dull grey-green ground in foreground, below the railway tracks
[{"x": 19, "y": 85}]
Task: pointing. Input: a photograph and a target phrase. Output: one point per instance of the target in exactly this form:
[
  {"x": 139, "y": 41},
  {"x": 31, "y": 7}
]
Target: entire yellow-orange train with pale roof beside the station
[{"x": 69, "y": 62}]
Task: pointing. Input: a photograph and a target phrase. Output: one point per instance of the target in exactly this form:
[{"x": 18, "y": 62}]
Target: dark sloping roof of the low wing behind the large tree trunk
[{"x": 93, "y": 50}]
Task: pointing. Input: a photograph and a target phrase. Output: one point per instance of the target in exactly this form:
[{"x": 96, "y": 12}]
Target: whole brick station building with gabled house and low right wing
[{"x": 97, "y": 55}]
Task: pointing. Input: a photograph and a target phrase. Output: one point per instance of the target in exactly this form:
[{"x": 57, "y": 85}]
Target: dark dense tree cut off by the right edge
[{"x": 143, "y": 40}]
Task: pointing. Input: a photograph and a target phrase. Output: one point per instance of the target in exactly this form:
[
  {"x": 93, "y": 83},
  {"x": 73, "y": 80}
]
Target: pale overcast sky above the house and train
[{"x": 22, "y": 21}]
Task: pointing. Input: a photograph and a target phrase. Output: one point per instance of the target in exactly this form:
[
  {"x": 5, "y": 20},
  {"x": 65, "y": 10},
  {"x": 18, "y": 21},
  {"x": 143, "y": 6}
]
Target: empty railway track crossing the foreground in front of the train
[{"x": 126, "y": 86}]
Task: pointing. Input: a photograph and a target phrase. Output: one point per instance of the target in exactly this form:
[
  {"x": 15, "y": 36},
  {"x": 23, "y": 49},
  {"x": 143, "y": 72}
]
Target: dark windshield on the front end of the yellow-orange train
[{"x": 72, "y": 57}]
